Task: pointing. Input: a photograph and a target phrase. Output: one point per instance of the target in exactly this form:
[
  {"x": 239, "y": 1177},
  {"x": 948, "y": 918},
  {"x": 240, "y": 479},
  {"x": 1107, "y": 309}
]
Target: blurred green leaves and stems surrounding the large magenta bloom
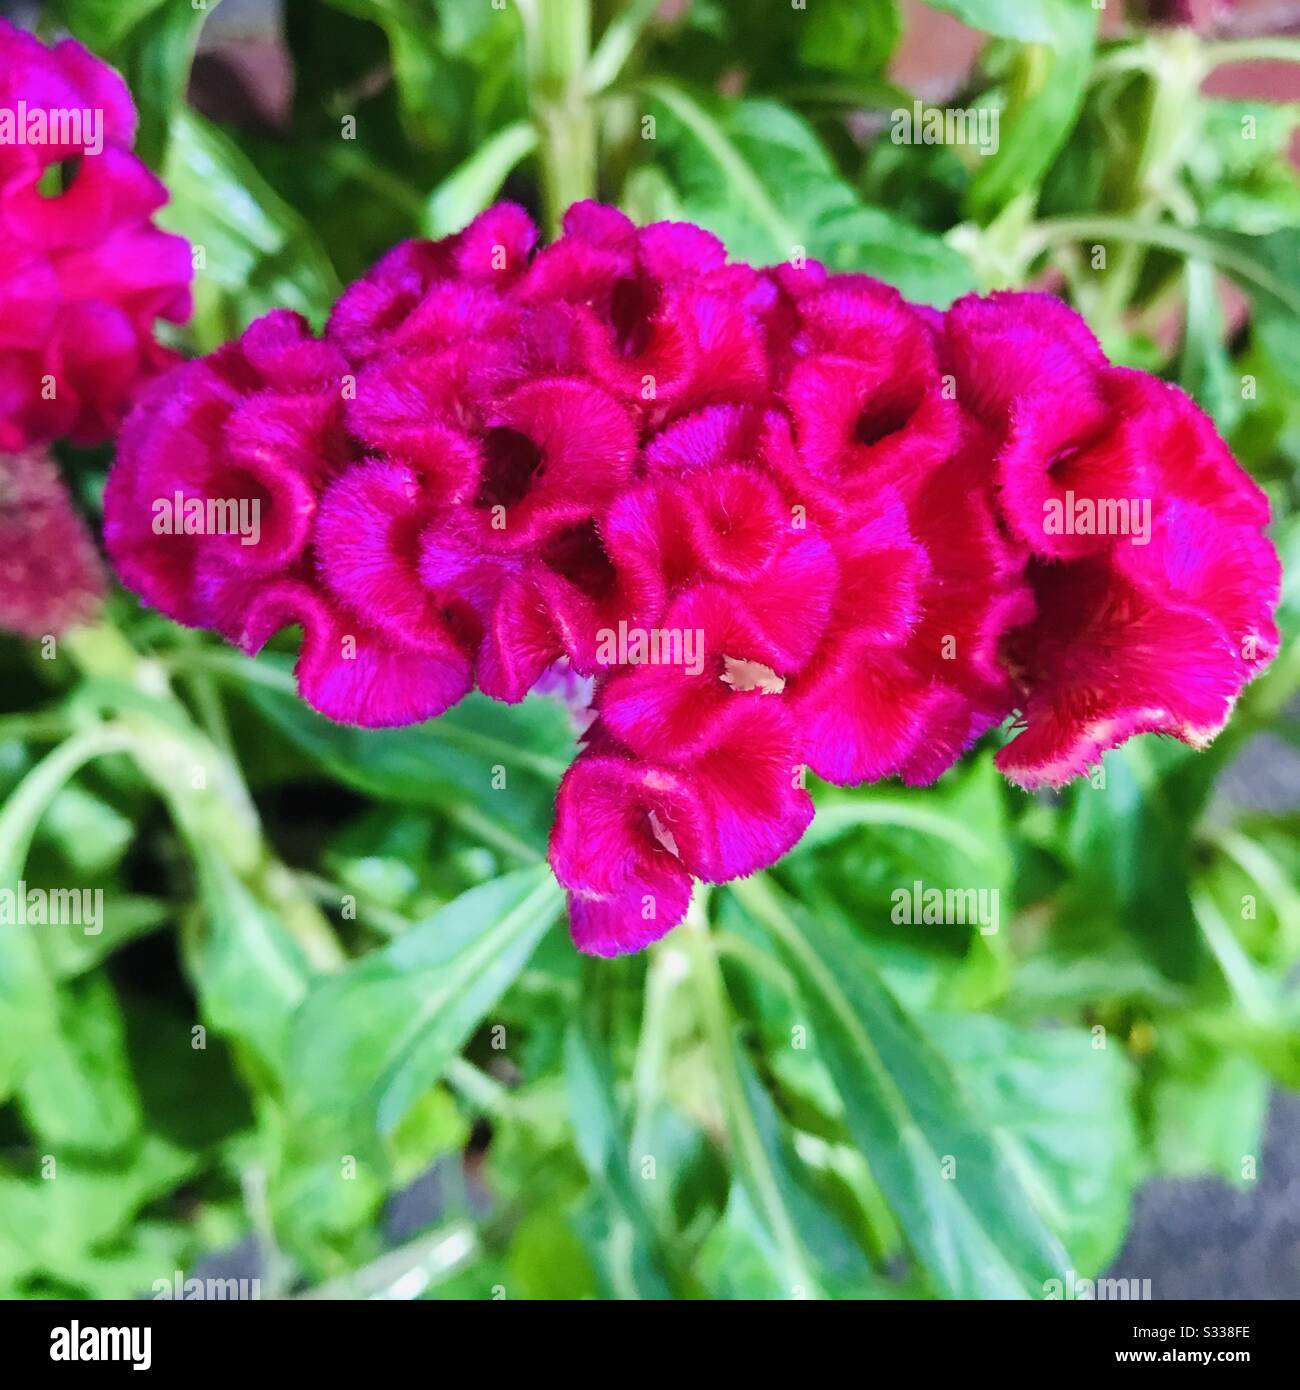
[{"x": 333, "y": 958}]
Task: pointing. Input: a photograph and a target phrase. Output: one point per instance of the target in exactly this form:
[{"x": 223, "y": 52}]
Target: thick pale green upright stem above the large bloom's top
[{"x": 557, "y": 56}]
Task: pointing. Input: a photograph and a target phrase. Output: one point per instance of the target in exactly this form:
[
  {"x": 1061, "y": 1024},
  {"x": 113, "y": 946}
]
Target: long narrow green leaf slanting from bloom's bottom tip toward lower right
[{"x": 948, "y": 1178}]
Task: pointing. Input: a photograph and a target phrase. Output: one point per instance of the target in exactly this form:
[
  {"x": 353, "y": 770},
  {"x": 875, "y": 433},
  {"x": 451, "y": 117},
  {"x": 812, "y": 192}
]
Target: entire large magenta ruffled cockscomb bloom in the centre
[{"x": 785, "y": 519}]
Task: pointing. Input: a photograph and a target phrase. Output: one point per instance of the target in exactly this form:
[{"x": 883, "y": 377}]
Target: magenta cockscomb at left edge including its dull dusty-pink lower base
[{"x": 84, "y": 276}]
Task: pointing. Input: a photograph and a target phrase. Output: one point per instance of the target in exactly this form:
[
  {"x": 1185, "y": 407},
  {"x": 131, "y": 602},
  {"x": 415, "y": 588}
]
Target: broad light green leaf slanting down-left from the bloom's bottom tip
[{"x": 371, "y": 1040}]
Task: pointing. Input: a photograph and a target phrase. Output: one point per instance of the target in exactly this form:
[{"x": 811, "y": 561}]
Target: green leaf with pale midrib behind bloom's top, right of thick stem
[{"x": 757, "y": 176}]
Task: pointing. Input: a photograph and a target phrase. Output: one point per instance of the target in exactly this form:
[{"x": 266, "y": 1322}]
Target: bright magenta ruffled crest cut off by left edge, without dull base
[{"x": 84, "y": 273}]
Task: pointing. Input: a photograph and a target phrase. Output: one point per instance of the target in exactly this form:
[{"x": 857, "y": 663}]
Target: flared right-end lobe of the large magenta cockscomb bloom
[{"x": 1153, "y": 583}]
